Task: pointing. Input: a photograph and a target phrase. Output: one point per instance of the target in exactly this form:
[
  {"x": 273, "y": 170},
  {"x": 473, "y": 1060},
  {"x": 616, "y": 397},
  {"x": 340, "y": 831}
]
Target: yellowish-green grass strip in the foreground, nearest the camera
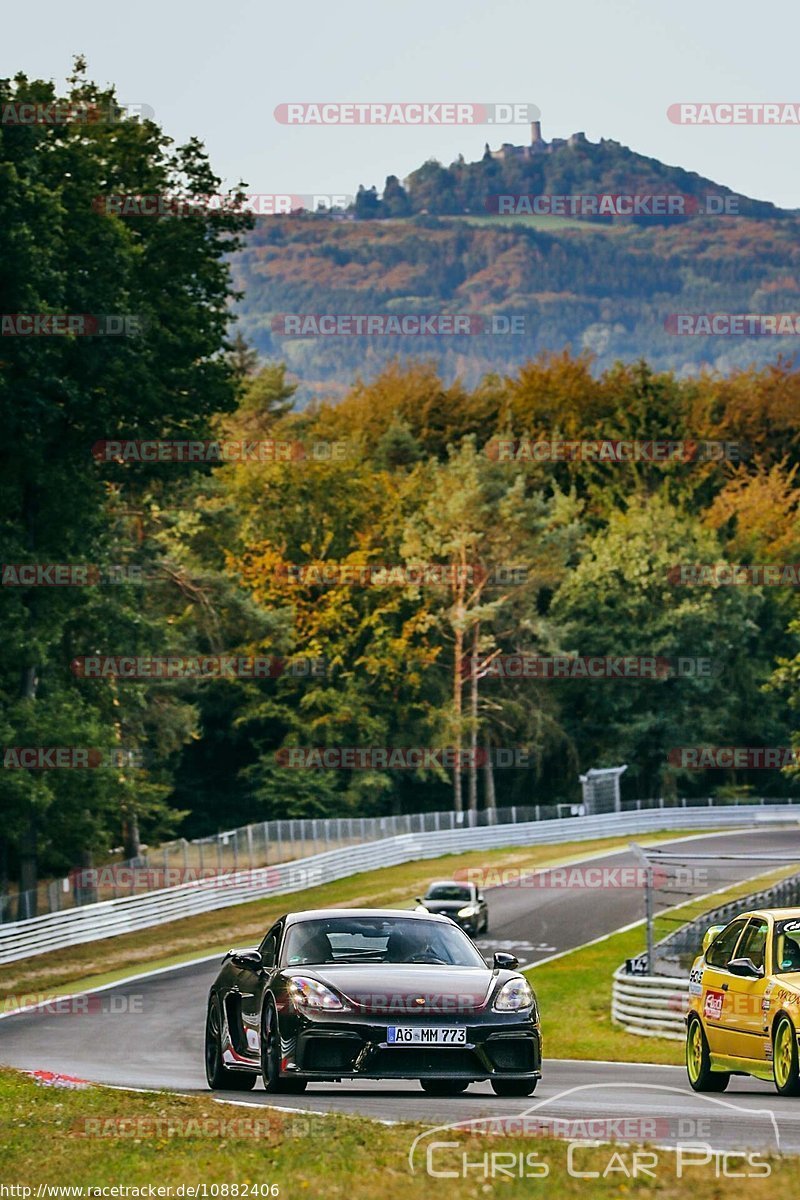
[{"x": 99, "y": 1138}]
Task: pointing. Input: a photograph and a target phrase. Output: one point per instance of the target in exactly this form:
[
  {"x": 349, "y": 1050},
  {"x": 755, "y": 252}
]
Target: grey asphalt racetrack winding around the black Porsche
[{"x": 148, "y": 1033}]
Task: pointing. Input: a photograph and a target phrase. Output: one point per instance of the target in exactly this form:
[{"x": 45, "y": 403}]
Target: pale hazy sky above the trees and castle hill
[{"x": 610, "y": 68}]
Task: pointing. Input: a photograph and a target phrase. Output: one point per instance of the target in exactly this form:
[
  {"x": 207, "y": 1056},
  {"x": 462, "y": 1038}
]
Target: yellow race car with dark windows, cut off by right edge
[{"x": 744, "y": 1003}]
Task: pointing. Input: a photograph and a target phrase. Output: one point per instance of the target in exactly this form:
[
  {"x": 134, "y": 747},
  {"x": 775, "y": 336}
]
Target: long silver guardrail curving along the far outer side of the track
[{"x": 23, "y": 939}]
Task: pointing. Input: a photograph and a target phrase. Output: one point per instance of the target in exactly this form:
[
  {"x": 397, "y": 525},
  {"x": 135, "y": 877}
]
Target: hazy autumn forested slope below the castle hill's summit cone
[{"x": 609, "y": 291}]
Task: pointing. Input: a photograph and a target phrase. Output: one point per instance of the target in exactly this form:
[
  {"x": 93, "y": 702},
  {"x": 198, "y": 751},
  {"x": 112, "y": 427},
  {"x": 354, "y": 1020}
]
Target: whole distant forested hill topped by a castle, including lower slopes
[{"x": 605, "y": 285}]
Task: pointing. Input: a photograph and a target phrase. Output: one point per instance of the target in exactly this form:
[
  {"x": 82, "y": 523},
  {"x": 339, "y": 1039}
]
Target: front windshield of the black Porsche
[{"x": 378, "y": 940}]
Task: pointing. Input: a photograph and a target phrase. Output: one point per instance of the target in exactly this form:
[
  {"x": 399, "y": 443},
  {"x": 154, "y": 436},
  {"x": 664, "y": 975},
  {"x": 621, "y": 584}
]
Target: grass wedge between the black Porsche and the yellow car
[{"x": 575, "y": 992}]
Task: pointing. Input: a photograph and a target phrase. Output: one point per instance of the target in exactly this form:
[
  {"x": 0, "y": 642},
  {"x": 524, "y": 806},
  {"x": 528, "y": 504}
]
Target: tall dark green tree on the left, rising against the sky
[{"x": 65, "y": 253}]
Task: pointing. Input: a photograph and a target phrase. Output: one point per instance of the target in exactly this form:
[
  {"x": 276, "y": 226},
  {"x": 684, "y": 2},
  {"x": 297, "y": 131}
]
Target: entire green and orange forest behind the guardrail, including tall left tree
[{"x": 573, "y": 559}]
